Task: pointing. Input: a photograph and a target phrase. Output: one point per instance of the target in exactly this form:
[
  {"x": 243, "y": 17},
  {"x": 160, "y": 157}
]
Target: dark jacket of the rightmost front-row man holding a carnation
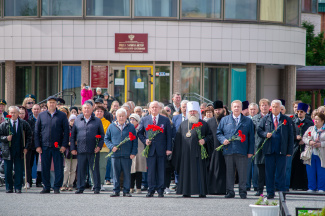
[{"x": 267, "y": 126}]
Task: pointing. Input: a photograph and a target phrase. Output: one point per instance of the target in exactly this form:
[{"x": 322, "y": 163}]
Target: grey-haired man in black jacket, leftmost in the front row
[{"x": 14, "y": 148}]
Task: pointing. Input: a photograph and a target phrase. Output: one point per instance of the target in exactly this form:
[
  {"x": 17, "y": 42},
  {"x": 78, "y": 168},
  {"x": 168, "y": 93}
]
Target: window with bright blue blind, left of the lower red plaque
[{"x": 71, "y": 81}]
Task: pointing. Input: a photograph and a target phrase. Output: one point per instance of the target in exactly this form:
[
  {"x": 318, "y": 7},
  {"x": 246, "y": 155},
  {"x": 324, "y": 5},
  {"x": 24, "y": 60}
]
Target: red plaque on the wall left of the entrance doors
[{"x": 99, "y": 76}]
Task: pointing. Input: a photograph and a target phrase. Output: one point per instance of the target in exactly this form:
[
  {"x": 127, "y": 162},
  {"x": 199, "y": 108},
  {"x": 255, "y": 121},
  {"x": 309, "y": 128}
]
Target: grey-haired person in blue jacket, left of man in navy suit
[{"x": 122, "y": 157}]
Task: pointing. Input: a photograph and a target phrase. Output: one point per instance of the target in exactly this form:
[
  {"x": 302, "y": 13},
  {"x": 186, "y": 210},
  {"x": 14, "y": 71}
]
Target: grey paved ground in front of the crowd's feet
[{"x": 68, "y": 203}]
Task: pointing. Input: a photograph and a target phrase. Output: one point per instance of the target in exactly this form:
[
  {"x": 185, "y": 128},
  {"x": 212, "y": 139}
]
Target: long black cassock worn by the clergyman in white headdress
[{"x": 187, "y": 159}]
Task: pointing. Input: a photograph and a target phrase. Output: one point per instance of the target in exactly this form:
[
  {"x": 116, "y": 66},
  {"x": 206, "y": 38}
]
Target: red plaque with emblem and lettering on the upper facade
[{"x": 131, "y": 43}]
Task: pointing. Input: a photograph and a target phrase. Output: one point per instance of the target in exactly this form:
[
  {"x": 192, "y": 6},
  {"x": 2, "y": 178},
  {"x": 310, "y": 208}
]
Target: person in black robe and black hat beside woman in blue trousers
[{"x": 299, "y": 178}]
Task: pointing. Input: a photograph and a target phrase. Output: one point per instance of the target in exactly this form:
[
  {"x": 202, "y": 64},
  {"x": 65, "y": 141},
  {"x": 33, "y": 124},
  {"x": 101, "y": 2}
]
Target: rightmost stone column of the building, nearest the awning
[{"x": 290, "y": 86}]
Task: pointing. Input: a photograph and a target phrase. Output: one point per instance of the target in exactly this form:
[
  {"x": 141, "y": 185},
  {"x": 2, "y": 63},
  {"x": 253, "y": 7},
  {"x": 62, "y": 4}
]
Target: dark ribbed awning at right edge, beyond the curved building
[{"x": 311, "y": 78}]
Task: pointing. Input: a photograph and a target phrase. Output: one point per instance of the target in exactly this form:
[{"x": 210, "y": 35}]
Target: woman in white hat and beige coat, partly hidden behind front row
[{"x": 139, "y": 163}]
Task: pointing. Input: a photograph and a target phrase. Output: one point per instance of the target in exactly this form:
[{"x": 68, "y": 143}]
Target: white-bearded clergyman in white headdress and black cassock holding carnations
[{"x": 190, "y": 154}]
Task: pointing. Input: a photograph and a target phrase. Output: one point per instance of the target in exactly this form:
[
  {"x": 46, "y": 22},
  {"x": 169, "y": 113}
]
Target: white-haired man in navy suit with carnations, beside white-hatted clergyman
[{"x": 160, "y": 146}]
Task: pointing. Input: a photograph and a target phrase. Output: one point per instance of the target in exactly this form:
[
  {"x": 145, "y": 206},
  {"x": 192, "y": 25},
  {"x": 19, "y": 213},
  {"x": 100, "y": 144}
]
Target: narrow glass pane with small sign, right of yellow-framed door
[{"x": 162, "y": 84}]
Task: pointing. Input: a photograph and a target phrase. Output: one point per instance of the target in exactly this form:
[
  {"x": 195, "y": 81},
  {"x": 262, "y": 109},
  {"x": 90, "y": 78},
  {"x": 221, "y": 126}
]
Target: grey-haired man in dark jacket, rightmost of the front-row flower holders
[{"x": 277, "y": 147}]
